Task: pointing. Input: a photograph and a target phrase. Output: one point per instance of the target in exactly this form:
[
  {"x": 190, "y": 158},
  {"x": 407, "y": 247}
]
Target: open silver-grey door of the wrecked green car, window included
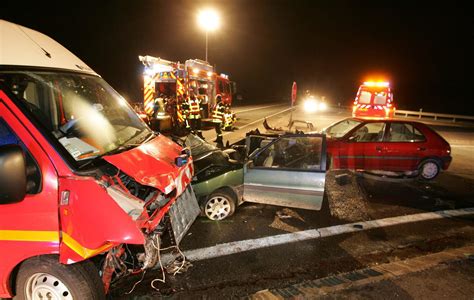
[{"x": 289, "y": 171}]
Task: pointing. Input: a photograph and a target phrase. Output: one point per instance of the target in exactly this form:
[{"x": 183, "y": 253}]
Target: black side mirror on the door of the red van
[{"x": 12, "y": 174}]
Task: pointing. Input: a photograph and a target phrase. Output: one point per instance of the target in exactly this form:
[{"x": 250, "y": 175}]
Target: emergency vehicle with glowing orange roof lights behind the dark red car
[{"x": 374, "y": 99}]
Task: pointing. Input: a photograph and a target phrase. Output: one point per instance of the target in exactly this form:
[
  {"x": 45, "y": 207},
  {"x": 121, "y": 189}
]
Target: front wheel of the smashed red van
[{"x": 44, "y": 277}]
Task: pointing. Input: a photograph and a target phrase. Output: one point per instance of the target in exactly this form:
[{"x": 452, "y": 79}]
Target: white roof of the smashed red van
[{"x": 21, "y": 46}]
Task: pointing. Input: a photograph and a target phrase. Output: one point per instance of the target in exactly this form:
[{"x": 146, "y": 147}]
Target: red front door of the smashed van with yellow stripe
[{"x": 29, "y": 227}]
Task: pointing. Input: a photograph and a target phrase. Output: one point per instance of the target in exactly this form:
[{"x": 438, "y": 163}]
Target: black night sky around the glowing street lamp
[{"x": 425, "y": 49}]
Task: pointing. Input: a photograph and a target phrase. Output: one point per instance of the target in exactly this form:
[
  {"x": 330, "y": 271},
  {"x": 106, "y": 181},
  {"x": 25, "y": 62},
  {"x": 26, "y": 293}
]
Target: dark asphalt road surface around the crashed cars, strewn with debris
[{"x": 360, "y": 201}]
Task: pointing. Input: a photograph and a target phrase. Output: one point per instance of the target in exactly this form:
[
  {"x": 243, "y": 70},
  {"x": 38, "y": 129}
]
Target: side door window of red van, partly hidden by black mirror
[{"x": 8, "y": 137}]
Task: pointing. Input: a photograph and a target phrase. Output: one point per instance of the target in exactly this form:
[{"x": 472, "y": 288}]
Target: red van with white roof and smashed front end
[{"x": 87, "y": 190}]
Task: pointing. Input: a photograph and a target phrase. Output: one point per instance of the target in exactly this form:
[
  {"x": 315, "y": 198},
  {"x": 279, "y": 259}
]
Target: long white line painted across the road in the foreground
[{"x": 254, "y": 244}]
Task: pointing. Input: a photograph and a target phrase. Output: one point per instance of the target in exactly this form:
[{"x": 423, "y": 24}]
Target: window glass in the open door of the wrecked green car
[{"x": 301, "y": 153}]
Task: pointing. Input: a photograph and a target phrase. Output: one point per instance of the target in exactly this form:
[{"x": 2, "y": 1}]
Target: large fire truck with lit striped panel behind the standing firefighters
[{"x": 175, "y": 79}]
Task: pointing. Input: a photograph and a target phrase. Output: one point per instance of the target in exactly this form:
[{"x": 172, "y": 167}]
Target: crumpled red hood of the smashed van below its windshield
[{"x": 153, "y": 164}]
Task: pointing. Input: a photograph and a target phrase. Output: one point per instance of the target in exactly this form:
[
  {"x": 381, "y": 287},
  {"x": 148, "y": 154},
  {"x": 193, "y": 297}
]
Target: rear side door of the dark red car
[{"x": 404, "y": 146}]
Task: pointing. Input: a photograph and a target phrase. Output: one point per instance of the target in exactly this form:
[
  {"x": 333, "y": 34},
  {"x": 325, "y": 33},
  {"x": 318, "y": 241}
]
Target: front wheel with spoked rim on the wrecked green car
[{"x": 219, "y": 205}]
